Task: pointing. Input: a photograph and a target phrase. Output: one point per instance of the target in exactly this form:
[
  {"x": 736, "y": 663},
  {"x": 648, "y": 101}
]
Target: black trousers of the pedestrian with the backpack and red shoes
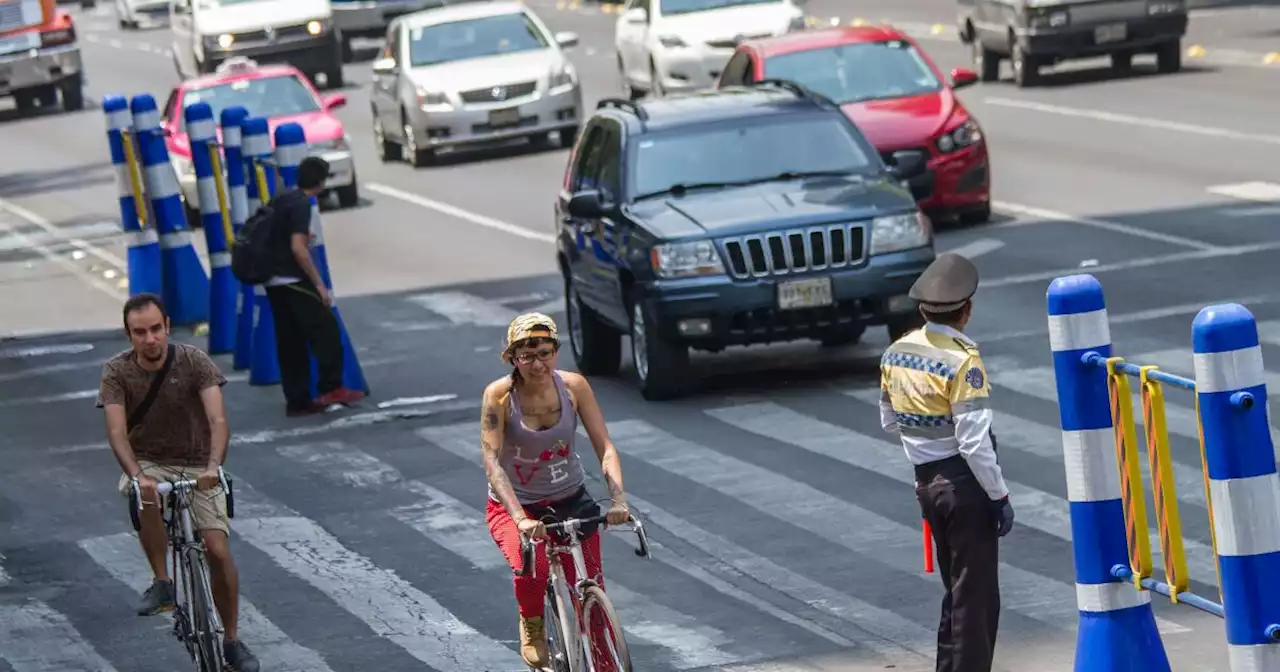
[{"x": 305, "y": 326}]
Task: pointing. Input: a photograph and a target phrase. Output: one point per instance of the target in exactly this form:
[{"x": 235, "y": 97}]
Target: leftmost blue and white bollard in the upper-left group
[{"x": 144, "y": 243}]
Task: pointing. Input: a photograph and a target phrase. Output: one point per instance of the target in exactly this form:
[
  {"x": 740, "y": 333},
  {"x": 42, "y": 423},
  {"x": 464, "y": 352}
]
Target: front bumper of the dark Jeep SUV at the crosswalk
[{"x": 740, "y": 313}]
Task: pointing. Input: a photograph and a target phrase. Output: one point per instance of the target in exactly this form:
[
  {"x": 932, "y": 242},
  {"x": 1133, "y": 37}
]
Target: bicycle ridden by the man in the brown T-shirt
[{"x": 195, "y": 620}]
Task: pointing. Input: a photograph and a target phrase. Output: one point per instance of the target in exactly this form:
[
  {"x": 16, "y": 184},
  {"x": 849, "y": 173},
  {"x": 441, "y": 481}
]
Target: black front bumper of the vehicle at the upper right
[{"x": 1082, "y": 42}]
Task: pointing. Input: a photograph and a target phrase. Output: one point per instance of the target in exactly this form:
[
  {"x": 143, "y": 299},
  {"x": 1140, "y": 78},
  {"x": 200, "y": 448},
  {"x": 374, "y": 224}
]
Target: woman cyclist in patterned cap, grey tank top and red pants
[{"x": 529, "y": 420}]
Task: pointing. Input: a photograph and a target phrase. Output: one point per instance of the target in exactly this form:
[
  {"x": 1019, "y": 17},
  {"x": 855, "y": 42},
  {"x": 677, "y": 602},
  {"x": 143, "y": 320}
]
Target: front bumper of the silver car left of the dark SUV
[{"x": 470, "y": 124}]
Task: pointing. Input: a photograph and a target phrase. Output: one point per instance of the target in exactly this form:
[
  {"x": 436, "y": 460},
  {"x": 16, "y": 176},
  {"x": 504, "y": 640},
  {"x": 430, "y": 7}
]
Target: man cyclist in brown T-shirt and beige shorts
[{"x": 180, "y": 435}]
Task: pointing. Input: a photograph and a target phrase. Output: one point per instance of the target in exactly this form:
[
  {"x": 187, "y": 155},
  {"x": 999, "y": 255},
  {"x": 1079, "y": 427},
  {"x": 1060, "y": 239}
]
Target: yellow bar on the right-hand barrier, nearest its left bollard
[{"x": 1131, "y": 473}]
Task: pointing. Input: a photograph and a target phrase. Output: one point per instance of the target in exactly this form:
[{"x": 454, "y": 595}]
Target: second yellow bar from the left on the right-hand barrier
[{"x": 1163, "y": 484}]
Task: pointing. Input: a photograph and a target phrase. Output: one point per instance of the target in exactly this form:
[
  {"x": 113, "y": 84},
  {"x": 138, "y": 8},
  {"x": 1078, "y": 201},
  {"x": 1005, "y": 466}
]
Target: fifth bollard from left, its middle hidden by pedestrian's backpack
[{"x": 264, "y": 365}]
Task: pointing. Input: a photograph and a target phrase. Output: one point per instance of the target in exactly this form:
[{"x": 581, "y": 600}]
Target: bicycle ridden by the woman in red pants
[{"x": 573, "y": 653}]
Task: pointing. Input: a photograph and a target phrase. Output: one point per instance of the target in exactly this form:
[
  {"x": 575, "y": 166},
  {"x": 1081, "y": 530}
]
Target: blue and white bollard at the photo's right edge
[{"x": 1245, "y": 490}]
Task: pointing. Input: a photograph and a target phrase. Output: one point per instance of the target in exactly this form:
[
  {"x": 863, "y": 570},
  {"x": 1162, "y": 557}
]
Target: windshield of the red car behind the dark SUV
[{"x": 854, "y": 74}]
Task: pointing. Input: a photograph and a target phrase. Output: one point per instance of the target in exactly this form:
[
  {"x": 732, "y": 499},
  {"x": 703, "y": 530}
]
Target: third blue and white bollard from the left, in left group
[{"x": 216, "y": 217}]
